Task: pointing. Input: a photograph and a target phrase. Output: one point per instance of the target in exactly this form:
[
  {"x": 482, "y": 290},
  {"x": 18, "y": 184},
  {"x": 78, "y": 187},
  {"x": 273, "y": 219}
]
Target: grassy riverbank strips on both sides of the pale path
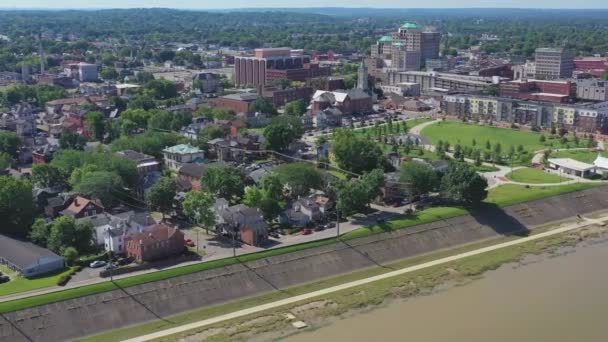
[{"x": 349, "y": 299}]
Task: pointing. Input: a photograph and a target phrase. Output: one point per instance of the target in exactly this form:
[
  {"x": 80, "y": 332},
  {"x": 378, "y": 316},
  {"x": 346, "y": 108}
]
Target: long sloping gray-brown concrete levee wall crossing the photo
[{"x": 137, "y": 304}]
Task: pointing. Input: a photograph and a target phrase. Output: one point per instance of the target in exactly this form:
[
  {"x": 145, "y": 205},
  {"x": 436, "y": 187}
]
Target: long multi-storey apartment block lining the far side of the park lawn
[{"x": 587, "y": 118}]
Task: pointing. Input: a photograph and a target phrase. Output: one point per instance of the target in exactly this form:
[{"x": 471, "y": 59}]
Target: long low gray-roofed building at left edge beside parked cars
[{"x": 28, "y": 259}]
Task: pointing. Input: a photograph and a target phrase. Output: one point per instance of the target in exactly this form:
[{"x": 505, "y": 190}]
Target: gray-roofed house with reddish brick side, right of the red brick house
[{"x": 247, "y": 222}]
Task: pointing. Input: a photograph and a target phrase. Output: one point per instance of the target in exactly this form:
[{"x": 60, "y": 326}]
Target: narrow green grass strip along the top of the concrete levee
[{"x": 501, "y": 196}]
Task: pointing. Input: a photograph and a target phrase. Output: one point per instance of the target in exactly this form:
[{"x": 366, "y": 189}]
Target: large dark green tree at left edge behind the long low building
[{"x": 16, "y": 206}]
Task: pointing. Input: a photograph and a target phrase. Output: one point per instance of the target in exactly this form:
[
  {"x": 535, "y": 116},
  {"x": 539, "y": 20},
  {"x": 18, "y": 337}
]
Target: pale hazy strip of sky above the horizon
[{"x": 213, "y": 4}]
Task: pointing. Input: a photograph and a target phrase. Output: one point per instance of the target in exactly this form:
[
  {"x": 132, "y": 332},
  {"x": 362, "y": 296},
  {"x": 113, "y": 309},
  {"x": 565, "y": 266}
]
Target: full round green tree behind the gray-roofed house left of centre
[{"x": 227, "y": 182}]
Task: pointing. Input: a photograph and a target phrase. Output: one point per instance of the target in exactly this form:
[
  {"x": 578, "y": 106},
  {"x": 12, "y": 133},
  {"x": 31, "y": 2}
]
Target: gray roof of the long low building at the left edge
[{"x": 22, "y": 253}]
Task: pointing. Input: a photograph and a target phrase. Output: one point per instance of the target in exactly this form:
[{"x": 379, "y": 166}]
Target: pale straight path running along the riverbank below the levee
[{"x": 295, "y": 299}]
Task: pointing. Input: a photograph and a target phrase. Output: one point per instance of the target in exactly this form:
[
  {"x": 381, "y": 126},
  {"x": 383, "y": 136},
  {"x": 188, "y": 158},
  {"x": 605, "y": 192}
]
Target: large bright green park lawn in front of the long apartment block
[{"x": 463, "y": 134}]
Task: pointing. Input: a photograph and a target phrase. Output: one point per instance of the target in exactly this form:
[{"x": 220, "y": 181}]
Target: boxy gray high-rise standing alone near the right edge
[{"x": 554, "y": 63}]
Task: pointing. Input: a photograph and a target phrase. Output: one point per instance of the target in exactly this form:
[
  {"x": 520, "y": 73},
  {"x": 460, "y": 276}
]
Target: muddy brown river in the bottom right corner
[{"x": 560, "y": 298}]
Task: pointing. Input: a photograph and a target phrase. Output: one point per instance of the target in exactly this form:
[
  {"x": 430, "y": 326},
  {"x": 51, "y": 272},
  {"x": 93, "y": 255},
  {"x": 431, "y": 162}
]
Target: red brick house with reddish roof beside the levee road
[{"x": 155, "y": 242}]
